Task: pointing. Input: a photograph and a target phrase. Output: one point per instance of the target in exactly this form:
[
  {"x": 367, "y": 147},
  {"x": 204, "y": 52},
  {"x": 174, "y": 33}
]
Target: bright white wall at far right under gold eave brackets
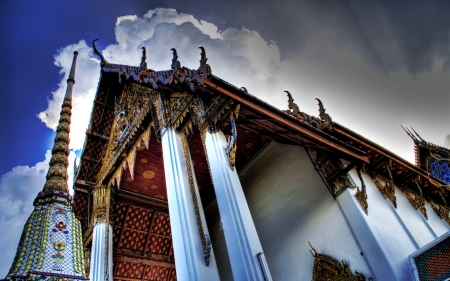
[{"x": 396, "y": 230}]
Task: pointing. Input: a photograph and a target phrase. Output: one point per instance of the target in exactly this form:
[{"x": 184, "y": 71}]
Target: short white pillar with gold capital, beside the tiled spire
[{"x": 101, "y": 253}]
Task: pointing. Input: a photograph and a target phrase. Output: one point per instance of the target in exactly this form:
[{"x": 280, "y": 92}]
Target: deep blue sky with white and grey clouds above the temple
[{"x": 375, "y": 66}]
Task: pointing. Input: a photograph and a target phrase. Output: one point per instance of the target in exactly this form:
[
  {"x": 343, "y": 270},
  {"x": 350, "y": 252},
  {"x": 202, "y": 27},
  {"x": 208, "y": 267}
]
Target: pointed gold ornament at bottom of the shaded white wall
[{"x": 328, "y": 269}]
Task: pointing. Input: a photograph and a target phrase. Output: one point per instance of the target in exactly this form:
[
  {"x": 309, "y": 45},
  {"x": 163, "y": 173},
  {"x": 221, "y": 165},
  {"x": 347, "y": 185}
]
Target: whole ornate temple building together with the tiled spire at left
[{"x": 184, "y": 176}]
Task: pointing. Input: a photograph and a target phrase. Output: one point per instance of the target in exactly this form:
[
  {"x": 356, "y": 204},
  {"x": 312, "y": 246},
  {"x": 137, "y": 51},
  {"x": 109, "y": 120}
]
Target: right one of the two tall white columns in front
[{"x": 240, "y": 233}]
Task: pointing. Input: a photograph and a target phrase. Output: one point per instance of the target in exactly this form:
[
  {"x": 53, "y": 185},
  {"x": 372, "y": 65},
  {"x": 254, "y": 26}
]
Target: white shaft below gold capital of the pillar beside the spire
[{"x": 101, "y": 253}]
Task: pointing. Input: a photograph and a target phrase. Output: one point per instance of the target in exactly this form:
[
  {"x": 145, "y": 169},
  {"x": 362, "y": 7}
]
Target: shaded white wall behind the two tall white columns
[{"x": 290, "y": 206}]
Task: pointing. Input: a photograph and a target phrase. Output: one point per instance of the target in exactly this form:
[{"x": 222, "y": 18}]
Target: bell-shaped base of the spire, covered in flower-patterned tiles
[{"x": 50, "y": 242}]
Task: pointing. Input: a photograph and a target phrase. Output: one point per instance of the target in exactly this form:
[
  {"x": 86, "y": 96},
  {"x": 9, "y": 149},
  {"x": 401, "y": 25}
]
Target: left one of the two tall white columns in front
[{"x": 187, "y": 243}]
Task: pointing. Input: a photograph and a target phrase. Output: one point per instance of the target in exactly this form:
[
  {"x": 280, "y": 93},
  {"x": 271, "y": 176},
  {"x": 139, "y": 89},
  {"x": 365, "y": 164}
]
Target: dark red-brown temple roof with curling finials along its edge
[{"x": 264, "y": 121}]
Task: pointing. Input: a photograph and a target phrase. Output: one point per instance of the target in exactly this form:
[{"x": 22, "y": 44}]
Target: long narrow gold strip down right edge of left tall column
[{"x": 203, "y": 237}]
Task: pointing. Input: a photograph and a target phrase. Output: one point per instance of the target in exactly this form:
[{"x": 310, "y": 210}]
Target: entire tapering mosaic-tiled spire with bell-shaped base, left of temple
[{"x": 51, "y": 246}]
